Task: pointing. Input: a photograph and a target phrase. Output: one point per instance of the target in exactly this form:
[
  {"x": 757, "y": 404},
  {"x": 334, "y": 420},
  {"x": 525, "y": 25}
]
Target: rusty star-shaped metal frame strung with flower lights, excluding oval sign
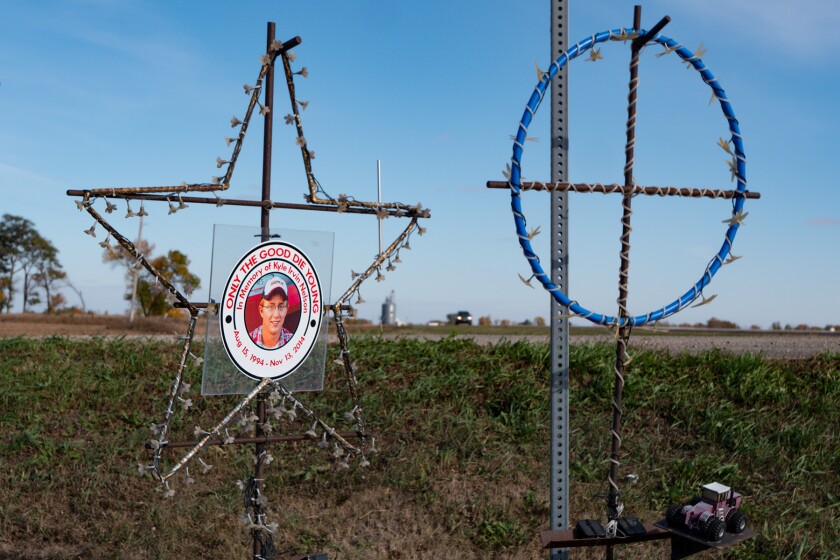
[{"x": 269, "y": 388}]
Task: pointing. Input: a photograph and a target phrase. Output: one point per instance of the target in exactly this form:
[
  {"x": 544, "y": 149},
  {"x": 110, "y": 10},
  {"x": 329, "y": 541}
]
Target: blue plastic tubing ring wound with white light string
[{"x": 516, "y": 184}]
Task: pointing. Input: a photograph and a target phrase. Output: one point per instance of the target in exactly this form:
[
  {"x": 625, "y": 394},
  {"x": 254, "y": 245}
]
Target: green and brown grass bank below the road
[{"x": 462, "y": 470}]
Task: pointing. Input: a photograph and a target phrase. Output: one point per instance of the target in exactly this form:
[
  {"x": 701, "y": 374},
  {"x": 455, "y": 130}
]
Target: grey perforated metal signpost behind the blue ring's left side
[{"x": 559, "y": 467}]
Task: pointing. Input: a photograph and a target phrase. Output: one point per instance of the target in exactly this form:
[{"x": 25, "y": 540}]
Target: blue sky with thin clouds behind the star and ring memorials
[{"x": 119, "y": 93}]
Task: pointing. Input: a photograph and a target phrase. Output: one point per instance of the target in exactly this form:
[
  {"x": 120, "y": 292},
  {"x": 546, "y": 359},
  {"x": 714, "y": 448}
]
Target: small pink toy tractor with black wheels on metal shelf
[{"x": 710, "y": 514}]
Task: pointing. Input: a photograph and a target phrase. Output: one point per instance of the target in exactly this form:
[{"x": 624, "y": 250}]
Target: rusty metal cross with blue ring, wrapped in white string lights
[{"x": 623, "y": 322}]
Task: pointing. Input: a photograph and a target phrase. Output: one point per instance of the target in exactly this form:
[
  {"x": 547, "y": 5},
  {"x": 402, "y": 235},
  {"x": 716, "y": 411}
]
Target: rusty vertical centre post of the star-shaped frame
[{"x": 268, "y": 101}]
